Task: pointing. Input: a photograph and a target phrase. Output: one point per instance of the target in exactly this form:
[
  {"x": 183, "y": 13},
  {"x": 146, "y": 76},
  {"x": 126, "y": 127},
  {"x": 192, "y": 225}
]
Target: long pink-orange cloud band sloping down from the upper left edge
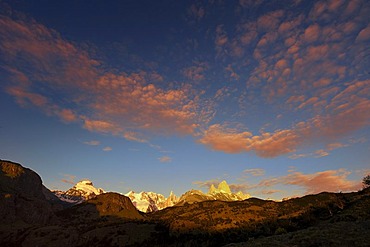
[{"x": 104, "y": 101}]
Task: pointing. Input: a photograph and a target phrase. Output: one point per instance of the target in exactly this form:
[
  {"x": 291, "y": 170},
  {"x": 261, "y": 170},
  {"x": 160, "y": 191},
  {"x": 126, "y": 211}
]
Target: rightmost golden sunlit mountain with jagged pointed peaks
[{"x": 222, "y": 193}]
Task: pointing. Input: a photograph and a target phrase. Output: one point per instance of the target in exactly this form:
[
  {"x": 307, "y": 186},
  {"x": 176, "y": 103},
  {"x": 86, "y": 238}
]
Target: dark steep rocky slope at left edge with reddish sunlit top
[{"x": 23, "y": 197}]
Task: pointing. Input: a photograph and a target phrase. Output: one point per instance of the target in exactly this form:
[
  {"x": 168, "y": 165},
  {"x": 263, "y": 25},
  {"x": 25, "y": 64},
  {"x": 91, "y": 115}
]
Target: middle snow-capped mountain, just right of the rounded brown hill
[{"x": 150, "y": 201}]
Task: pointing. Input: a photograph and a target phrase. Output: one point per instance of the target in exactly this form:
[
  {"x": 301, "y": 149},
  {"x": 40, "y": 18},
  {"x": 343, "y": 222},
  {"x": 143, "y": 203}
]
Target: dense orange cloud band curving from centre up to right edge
[{"x": 338, "y": 122}]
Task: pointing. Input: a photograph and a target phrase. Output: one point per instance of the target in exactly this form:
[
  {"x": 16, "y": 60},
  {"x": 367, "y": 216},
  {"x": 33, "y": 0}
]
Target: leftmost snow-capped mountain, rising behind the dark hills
[{"x": 82, "y": 191}]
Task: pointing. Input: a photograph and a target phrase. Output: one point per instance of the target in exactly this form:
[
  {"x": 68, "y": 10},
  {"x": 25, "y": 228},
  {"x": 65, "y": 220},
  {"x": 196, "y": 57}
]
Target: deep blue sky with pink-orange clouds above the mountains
[{"x": 271, "y": 96}]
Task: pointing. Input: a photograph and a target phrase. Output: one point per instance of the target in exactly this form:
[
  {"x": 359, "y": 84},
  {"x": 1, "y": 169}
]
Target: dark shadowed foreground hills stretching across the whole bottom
[{"x": 30, "y": 215}]
